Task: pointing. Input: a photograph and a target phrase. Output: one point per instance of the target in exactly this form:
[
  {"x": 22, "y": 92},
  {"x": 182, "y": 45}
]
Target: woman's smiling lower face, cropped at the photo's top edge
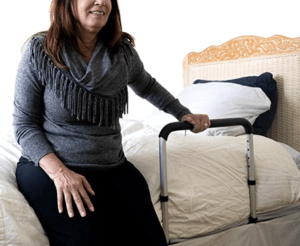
[{"x": 92, "y": 15}]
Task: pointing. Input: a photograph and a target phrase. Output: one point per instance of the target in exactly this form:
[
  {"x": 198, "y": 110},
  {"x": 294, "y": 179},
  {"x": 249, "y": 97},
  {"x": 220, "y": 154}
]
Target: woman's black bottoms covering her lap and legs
[{"x": 124, "y": 213}]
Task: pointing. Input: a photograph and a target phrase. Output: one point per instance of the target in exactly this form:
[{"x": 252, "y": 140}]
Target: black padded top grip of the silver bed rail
[{"x": 177, "y": 126}]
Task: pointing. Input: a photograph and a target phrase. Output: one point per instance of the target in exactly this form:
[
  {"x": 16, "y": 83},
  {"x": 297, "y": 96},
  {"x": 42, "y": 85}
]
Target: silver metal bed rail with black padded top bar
[{"x": 177, "y": 126}]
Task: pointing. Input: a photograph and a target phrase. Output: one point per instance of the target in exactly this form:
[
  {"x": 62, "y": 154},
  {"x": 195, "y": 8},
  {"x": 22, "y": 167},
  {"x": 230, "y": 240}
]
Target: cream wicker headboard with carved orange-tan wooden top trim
[{"x": 252, "y": 55}]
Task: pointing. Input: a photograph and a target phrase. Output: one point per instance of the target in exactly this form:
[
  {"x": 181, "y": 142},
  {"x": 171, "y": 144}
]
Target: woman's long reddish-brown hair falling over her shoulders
[{"x": 64, "y": 28}]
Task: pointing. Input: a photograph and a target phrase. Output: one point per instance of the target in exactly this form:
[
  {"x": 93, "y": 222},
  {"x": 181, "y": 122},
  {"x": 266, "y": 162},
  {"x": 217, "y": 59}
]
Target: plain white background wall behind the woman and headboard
[{"x": 165, "y": 31}]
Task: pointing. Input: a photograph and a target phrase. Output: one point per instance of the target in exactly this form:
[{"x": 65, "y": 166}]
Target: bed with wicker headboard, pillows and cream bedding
[{"x": 207, "y": 172}]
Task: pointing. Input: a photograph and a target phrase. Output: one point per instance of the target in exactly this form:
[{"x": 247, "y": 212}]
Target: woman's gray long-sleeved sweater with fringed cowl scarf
[{"x": 78, "y": 119}]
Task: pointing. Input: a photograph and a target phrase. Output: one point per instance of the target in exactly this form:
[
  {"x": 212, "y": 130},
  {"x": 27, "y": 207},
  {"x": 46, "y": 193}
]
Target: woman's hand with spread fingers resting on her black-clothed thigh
[{"x": 68, "y": 185}]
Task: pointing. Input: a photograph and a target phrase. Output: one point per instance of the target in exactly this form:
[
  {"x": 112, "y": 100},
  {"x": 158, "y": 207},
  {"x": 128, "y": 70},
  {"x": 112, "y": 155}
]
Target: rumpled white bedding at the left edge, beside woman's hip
[{"x": 18, "y": 222}]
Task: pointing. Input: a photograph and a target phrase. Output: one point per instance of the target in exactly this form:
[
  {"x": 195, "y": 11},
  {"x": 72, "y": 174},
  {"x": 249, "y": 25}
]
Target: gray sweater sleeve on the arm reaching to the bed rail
[{"x": 145, "y": 86}]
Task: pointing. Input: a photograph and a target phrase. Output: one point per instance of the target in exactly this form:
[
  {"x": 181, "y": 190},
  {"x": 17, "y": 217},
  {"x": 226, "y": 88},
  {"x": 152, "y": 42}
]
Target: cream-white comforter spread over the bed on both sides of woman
[{"x": 20, "y": 226}]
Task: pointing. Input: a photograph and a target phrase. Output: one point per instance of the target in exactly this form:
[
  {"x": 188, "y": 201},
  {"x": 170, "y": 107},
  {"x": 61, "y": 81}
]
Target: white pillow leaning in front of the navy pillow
[{"x": 219, "y": 100}]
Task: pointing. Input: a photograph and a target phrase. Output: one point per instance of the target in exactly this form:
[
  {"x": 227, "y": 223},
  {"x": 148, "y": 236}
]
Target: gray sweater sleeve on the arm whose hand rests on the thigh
[{"x": 28, "y": 111}]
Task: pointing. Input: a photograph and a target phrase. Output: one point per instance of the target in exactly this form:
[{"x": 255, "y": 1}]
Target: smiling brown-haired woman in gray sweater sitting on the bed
[{"x": 71, "y": 90}]
